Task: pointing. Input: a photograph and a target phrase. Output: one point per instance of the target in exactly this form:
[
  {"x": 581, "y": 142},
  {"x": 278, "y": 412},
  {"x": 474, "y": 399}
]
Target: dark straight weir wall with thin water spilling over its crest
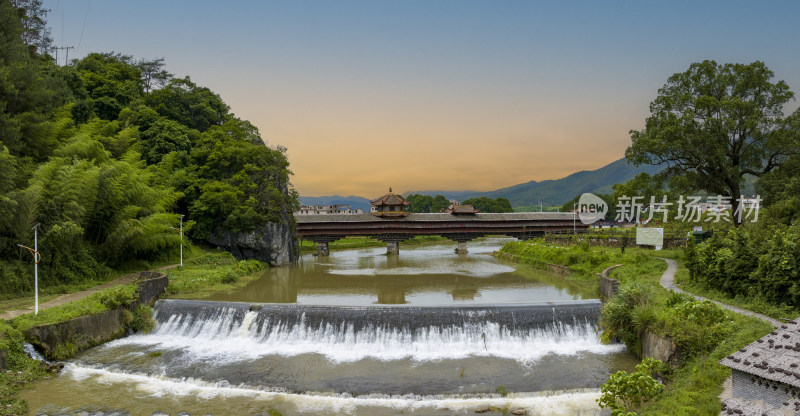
[{"x": 190, "y": 315}]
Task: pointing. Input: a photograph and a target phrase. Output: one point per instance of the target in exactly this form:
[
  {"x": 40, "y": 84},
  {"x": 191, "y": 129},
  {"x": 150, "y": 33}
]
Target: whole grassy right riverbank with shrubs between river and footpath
[{"x": 704, "y": 333}]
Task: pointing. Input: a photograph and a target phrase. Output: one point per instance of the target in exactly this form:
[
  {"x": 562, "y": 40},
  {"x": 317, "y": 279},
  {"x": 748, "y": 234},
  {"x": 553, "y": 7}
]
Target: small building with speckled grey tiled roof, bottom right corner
[{"x": 766, "y": 374}]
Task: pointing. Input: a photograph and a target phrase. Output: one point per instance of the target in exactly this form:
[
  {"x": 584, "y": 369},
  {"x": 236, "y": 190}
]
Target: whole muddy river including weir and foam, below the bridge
[{"x": 361, "y": 333}]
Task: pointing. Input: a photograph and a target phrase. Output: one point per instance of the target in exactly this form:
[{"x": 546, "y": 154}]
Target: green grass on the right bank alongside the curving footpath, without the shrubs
[{"x": 694, "y": 387}]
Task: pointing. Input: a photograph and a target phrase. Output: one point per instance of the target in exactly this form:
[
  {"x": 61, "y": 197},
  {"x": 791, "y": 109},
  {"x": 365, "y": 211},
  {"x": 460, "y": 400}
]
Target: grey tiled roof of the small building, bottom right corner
[{"x": 775, "y": 356}]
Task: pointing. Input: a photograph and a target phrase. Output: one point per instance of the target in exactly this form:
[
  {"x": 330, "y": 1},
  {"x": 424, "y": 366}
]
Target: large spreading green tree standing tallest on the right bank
[{"x": 713, "y": 124}]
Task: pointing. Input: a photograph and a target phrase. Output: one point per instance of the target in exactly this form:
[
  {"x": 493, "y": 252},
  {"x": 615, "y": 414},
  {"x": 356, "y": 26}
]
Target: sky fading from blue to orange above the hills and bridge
[{"x": 436, "y": 95}]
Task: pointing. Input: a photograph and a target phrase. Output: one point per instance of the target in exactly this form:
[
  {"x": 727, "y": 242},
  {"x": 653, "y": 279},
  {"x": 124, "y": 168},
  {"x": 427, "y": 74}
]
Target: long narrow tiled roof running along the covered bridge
[{"x": 414, "y": 217}]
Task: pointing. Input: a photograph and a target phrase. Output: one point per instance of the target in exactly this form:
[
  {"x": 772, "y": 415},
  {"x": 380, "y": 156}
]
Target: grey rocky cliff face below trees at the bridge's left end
[{"x": 274, "y": 243}]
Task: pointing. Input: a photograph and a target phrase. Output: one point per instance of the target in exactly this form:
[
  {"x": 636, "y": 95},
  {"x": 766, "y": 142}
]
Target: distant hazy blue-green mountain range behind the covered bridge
[{"x": 552, "y": 192}]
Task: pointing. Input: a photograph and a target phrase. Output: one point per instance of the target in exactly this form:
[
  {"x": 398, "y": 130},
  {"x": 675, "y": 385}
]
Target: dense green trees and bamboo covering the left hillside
[{"x": 107, "y": 152}]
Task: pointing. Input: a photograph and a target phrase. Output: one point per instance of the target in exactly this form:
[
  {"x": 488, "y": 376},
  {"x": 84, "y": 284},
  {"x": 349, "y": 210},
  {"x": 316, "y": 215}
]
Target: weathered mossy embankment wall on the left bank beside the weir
[{"x": 78, "y": 334}]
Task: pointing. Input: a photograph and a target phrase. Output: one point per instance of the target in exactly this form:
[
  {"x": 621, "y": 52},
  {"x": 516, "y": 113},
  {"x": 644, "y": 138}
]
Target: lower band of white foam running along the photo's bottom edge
[{"x": 577, "y": 402}]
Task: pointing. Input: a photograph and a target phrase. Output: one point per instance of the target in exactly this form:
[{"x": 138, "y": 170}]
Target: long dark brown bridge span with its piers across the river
[{"x": 323, "y": 229}]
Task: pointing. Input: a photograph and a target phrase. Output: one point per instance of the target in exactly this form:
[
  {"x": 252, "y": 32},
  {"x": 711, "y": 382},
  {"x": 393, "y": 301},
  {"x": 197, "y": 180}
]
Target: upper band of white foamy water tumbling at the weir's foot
[{"x": 225, "y": 340}]
